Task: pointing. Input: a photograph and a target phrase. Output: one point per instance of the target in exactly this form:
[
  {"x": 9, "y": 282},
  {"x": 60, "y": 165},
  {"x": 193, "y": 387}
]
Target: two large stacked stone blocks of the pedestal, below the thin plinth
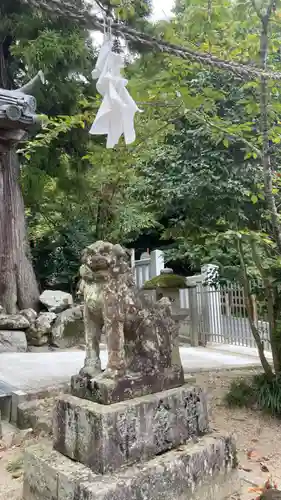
[{"x": 154, "y": 447}]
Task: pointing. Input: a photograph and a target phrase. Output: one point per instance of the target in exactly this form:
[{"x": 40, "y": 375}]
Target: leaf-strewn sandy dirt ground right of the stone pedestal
[{"x": 258, "y": 437}]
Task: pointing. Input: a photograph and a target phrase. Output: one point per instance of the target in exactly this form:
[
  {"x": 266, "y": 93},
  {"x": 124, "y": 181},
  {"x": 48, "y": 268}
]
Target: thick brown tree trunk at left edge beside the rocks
[{"x": 18, "y": 286}]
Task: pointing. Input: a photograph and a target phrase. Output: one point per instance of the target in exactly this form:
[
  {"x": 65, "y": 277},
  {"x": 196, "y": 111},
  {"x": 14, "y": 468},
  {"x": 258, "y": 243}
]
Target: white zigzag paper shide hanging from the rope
[{"x": 117, "y": 111}]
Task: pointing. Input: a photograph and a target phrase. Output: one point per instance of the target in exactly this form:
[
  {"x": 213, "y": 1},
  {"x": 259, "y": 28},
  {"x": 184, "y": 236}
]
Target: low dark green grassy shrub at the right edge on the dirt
[{"x": 261, "y": 392}]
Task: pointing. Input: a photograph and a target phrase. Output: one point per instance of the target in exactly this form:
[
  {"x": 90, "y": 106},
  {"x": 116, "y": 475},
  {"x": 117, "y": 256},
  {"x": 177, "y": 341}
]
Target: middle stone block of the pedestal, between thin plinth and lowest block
[{"x": 106, "y": 437}]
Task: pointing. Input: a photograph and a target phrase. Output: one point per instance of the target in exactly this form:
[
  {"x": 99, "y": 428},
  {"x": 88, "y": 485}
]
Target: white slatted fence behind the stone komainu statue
[{"x": 216, "y": 314}]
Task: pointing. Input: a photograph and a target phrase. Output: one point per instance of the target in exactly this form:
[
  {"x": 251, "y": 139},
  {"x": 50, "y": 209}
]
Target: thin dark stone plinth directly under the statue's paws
[{"x": 107, "y": 391}]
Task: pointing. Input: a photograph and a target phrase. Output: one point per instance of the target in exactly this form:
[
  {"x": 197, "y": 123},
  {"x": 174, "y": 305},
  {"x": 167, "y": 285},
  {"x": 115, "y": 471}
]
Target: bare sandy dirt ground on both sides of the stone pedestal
[{"x": 258, "y": 442}]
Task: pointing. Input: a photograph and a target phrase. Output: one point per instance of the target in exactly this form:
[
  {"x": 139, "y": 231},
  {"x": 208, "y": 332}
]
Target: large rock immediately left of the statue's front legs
[{"x": 68, "y": 329}]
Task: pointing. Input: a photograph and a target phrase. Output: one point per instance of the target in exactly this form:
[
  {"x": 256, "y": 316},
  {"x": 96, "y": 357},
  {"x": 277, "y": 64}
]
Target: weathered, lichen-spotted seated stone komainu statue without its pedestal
[{"x": 141, "y": 336}]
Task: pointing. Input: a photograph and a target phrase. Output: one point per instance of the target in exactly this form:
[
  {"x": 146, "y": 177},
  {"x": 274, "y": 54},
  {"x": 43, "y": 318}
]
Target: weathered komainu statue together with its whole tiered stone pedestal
[{"x": 141, "y": 436}]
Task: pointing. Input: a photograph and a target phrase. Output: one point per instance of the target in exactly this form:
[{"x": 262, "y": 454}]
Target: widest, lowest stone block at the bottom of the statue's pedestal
[{"x": 202, "y": 471}]
